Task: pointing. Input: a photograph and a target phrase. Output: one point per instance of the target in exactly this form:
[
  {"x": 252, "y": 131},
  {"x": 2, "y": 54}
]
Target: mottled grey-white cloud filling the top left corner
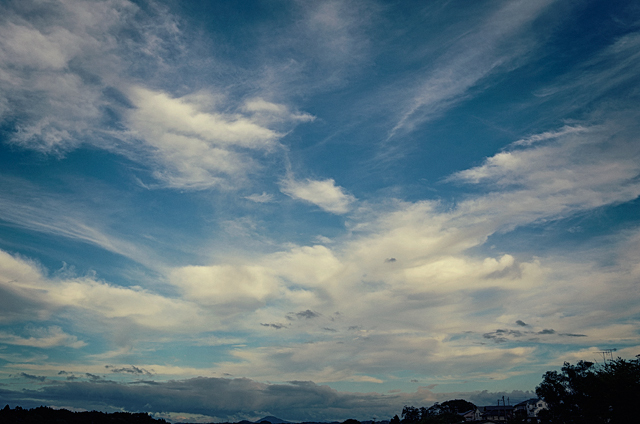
[{"x": 54, "y": 68}]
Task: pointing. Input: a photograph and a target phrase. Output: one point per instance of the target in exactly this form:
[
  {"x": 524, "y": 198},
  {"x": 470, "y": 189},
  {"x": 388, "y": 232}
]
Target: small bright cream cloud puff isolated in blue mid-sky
[{"x": 322, "y": 193}]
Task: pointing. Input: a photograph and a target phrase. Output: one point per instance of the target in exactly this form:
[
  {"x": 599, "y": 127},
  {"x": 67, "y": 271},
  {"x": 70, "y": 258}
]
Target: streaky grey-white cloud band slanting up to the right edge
[{"x": 573, "y": 171}]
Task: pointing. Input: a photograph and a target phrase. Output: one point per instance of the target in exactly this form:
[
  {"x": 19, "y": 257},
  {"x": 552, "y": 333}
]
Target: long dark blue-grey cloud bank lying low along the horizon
[{"x": 223, "y": 399}]
